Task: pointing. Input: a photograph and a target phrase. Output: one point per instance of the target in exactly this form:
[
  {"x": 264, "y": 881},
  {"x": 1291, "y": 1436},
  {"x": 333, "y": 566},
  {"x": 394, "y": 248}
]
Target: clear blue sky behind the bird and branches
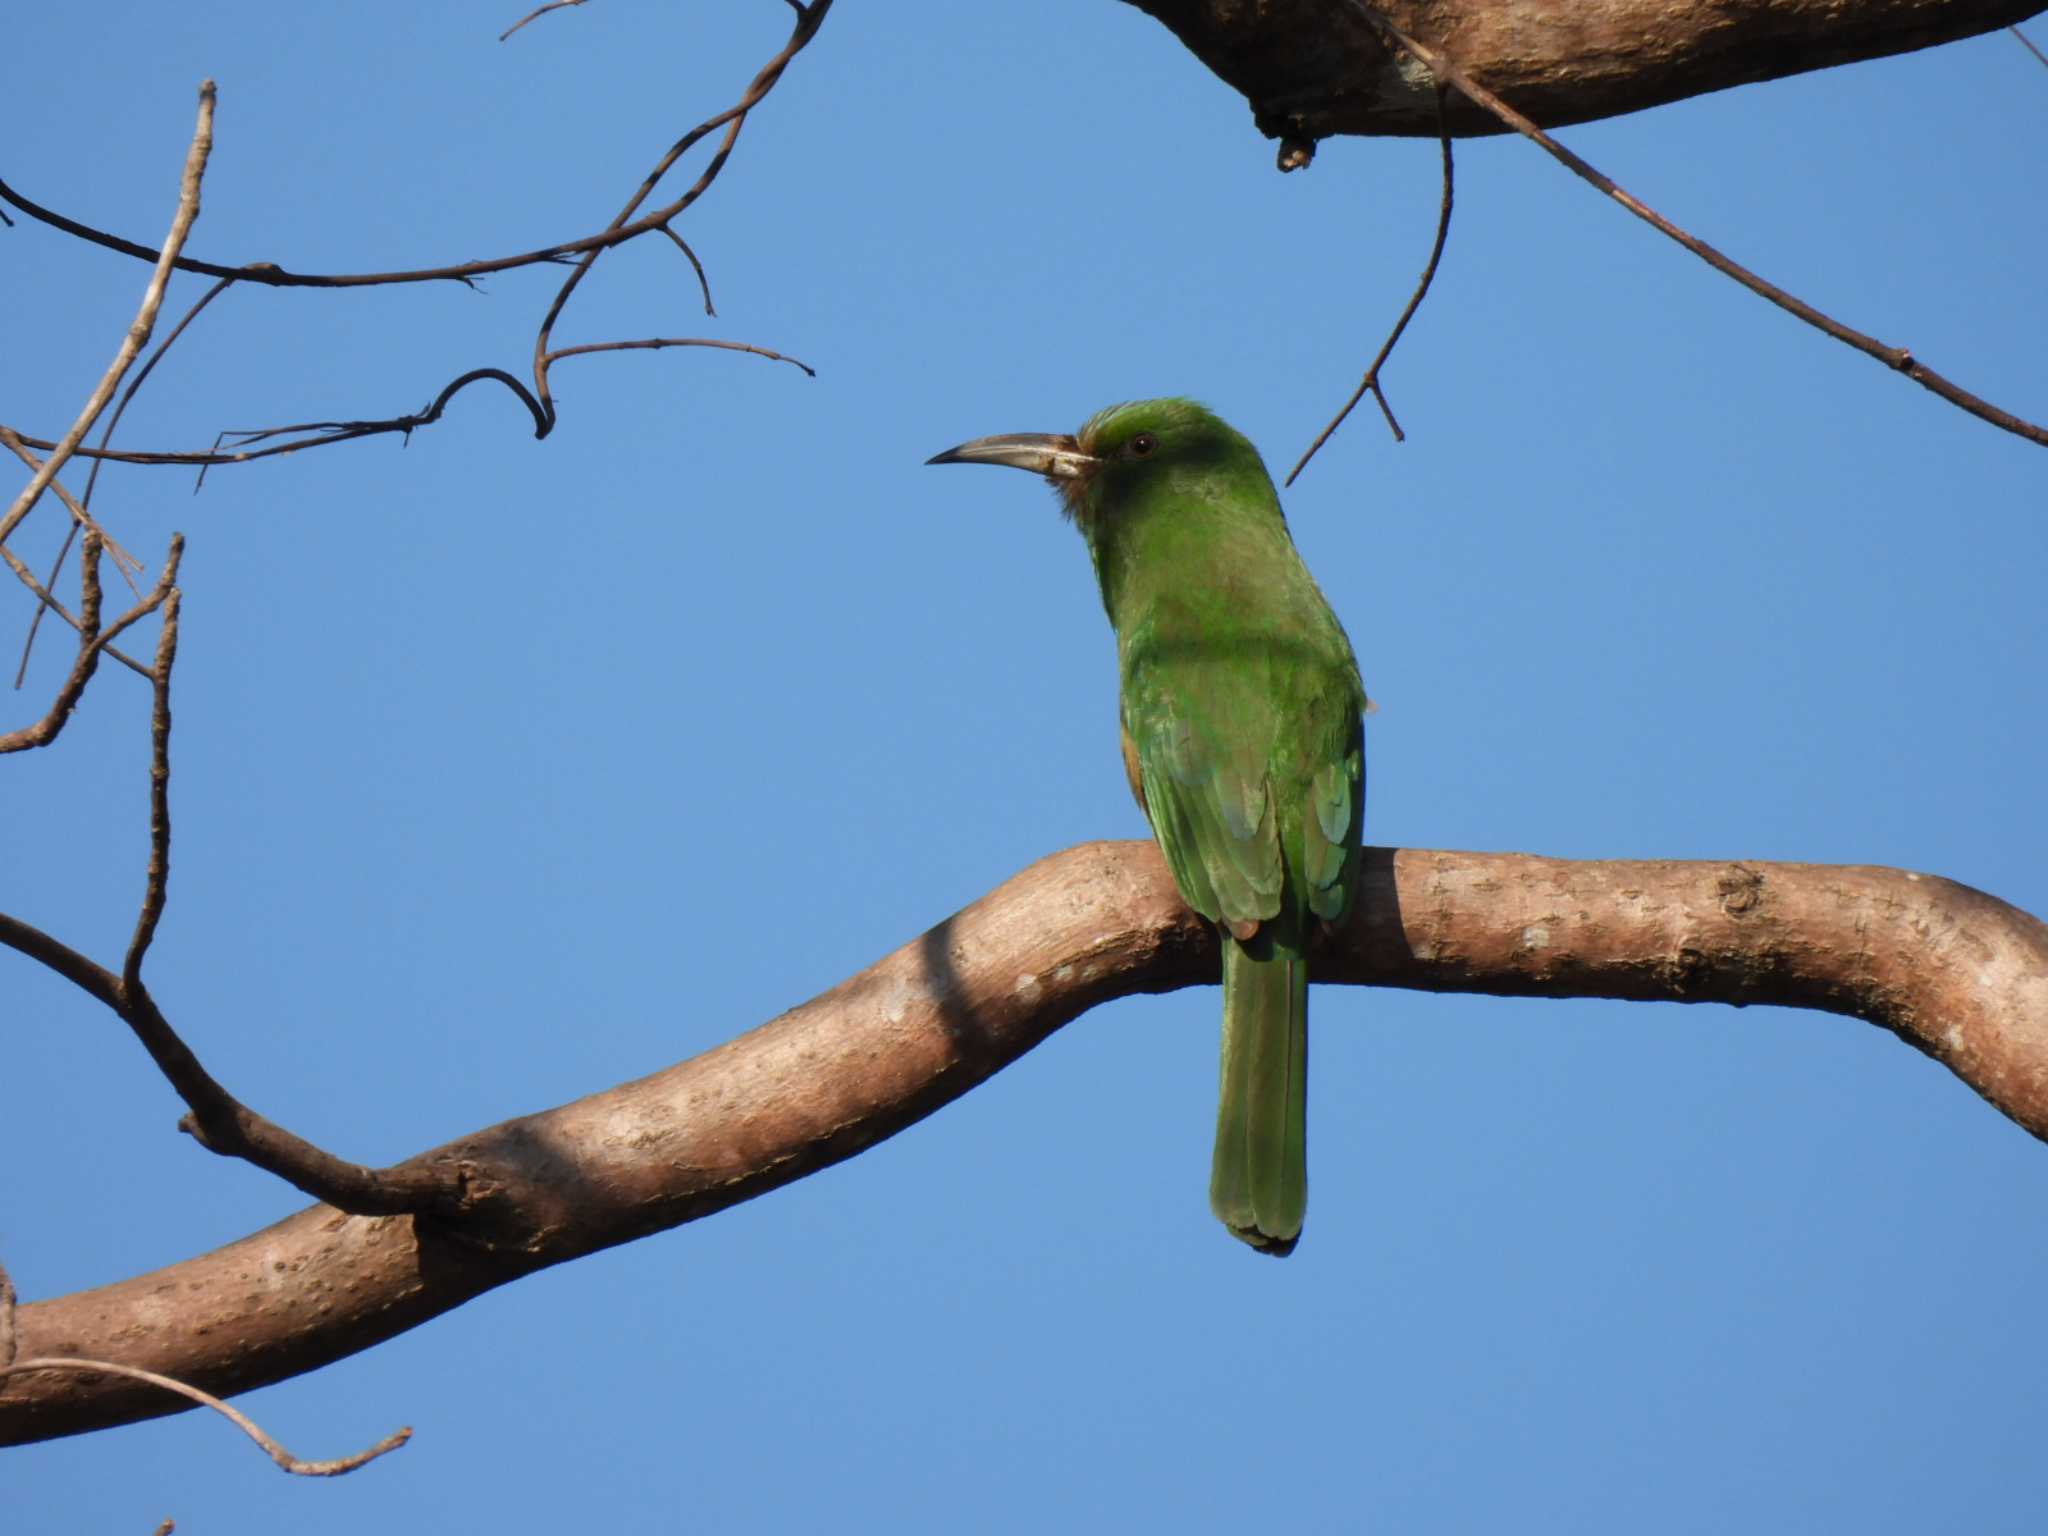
[{"x": 507, "y": 771}]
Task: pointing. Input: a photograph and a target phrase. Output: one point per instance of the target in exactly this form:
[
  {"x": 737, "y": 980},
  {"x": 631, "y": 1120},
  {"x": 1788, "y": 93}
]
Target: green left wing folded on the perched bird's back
[{"x": 1211, "y": 806}]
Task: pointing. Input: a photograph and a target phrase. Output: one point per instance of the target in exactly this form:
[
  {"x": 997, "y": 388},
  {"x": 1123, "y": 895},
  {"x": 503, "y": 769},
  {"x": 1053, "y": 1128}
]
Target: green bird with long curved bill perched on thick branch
[{"x": 1242, "y": 736}]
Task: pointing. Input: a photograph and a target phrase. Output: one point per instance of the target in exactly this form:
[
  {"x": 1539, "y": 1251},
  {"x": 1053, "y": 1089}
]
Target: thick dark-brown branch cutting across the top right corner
[{"x": 1314, "y": 69}]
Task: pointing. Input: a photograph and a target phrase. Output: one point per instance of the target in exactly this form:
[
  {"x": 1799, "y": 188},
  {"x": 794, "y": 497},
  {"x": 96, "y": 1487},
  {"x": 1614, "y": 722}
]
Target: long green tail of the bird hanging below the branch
[{"x": 1258, "y": 1183}]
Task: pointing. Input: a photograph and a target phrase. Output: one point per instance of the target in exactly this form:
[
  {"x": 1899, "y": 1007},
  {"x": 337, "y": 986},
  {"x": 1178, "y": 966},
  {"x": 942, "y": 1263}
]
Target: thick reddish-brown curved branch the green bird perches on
[{"x": 1953, "y": 972}]
